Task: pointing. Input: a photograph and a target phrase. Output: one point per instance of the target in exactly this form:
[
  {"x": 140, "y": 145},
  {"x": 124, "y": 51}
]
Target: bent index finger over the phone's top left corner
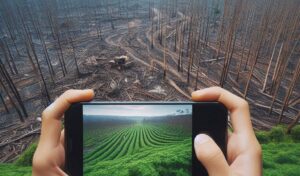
[{"x": 51, "y": 121}]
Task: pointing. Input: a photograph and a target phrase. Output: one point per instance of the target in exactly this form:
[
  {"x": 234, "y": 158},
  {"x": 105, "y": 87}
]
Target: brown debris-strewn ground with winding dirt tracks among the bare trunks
[{"x": 142, "y": 80}]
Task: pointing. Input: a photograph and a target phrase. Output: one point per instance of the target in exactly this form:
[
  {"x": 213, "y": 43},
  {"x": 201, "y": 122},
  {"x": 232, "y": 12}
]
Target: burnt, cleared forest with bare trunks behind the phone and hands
[{"x": 173, "y": 47}]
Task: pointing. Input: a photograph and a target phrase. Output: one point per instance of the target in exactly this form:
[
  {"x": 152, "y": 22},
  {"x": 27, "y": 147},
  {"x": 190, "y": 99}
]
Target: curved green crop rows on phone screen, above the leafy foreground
[{"x": 130, "y": 140}]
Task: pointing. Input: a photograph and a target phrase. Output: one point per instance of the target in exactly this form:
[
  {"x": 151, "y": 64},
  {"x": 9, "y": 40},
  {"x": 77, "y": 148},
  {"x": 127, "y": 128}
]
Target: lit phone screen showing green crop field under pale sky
[{"x": 137, "y": 140}]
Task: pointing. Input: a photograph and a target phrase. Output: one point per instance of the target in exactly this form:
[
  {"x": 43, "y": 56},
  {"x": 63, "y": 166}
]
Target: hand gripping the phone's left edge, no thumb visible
[{"x": 49, "y": 157}]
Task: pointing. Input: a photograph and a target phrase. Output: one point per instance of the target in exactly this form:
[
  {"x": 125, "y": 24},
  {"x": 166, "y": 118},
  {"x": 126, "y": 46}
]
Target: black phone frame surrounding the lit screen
[{"x": 214, "y": 124}]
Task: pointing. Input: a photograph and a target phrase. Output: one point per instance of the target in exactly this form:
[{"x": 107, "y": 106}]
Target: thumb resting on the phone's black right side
[{"x": 210, "y": 155}]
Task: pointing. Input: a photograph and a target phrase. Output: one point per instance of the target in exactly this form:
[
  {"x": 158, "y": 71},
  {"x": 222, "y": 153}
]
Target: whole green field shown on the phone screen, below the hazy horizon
[{"x": 139, "y": 149}]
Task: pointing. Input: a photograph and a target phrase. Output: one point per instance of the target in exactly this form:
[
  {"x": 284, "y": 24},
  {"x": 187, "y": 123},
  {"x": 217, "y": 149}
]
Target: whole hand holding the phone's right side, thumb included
[{"x": 243, "y": 150}]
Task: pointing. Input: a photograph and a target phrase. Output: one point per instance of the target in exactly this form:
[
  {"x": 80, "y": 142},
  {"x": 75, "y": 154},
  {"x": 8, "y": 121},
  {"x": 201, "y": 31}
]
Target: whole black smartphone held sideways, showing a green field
[{"x": 140, "y": 138}]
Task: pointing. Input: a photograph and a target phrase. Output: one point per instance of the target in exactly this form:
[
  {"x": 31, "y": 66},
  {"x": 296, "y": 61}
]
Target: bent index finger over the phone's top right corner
[{"x": 238, "y": 107}]
